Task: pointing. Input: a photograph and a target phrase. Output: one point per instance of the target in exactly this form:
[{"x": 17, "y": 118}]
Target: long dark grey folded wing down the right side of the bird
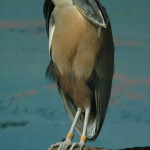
[{"x": 102, "y": 87}]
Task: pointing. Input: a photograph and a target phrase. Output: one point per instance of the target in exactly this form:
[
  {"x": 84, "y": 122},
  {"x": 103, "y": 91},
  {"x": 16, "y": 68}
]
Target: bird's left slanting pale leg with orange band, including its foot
[{"x": 64, "y": 145}]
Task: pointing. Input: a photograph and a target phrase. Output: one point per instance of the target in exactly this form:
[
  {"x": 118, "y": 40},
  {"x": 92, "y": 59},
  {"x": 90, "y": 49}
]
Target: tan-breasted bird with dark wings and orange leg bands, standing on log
[{"x": 81, "y": 51}]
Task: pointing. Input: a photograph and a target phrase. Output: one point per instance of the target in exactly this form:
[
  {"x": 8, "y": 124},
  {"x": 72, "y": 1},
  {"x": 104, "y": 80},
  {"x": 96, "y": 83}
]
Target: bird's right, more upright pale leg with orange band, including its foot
[{"x": 83, "y": 136}]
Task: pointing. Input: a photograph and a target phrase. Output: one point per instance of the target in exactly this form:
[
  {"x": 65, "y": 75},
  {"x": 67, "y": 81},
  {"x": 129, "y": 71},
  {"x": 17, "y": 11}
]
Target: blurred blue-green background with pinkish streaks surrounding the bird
[{"x": 32, "y": 116}]
